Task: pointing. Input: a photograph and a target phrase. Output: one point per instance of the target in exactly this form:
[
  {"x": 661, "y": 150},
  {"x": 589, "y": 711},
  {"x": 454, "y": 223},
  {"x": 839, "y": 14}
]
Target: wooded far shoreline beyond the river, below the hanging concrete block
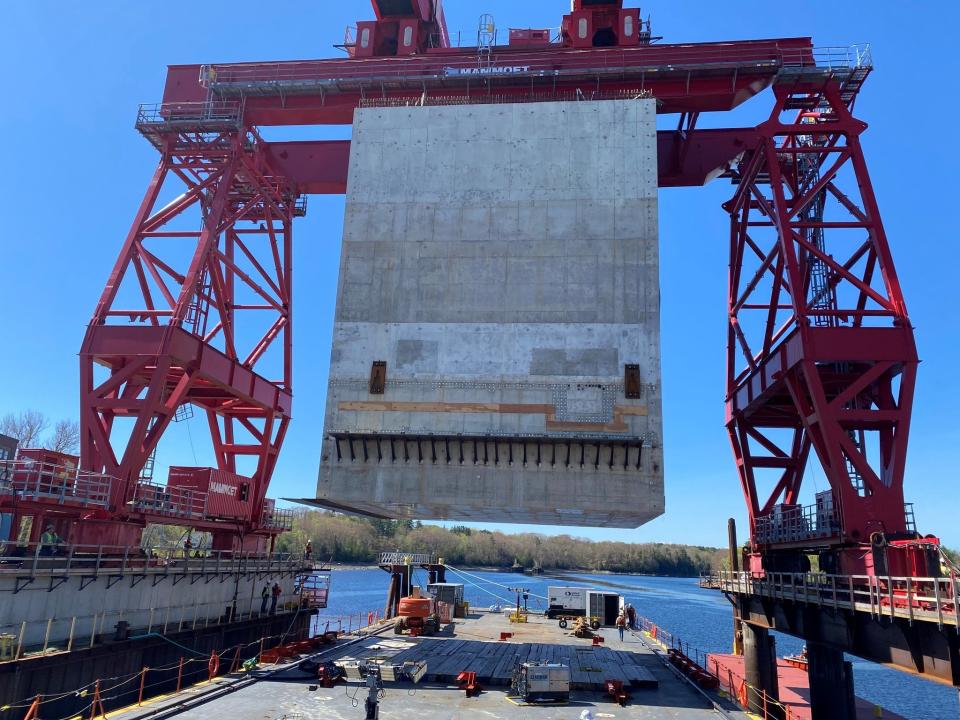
[{"x": 347, "y": 539}]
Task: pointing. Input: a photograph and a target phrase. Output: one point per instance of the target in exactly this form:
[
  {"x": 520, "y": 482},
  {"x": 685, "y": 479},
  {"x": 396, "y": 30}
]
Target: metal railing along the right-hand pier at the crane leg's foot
[{"x": 929, "y": 599}]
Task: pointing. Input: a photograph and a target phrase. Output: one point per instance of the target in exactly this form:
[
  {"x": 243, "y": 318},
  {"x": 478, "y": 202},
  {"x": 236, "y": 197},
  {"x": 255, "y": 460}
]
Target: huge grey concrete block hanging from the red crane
[{"x": 503, "y": 261}]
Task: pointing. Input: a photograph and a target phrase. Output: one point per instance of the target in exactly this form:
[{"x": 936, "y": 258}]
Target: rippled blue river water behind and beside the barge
[{"x": 701, "y": 618}]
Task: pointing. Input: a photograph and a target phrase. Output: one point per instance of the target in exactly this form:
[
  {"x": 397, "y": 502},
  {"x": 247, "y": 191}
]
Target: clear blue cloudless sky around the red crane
[{"x": 74, "y": 171}]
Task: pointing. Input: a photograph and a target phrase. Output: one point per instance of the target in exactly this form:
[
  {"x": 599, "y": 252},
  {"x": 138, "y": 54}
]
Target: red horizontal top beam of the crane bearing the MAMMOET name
[{"x": 698, "y": 77}]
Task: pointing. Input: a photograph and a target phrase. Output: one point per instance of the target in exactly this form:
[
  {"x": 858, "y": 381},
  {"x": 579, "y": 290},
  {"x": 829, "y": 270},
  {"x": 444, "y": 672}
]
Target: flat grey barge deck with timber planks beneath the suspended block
[{"x": 472, "y": 644}]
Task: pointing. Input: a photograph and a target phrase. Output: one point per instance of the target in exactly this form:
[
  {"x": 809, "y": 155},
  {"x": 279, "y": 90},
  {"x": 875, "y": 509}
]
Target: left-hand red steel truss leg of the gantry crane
[{"x": 197, "y": 310}]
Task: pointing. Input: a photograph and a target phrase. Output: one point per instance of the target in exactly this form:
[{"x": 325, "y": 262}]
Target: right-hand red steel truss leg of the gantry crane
[{"x": 821, "y": 352}]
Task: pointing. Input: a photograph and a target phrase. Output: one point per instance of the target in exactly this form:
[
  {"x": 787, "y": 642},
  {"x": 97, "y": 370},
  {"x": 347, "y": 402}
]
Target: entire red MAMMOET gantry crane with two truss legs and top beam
[{"x": 197, "y": 311}]
